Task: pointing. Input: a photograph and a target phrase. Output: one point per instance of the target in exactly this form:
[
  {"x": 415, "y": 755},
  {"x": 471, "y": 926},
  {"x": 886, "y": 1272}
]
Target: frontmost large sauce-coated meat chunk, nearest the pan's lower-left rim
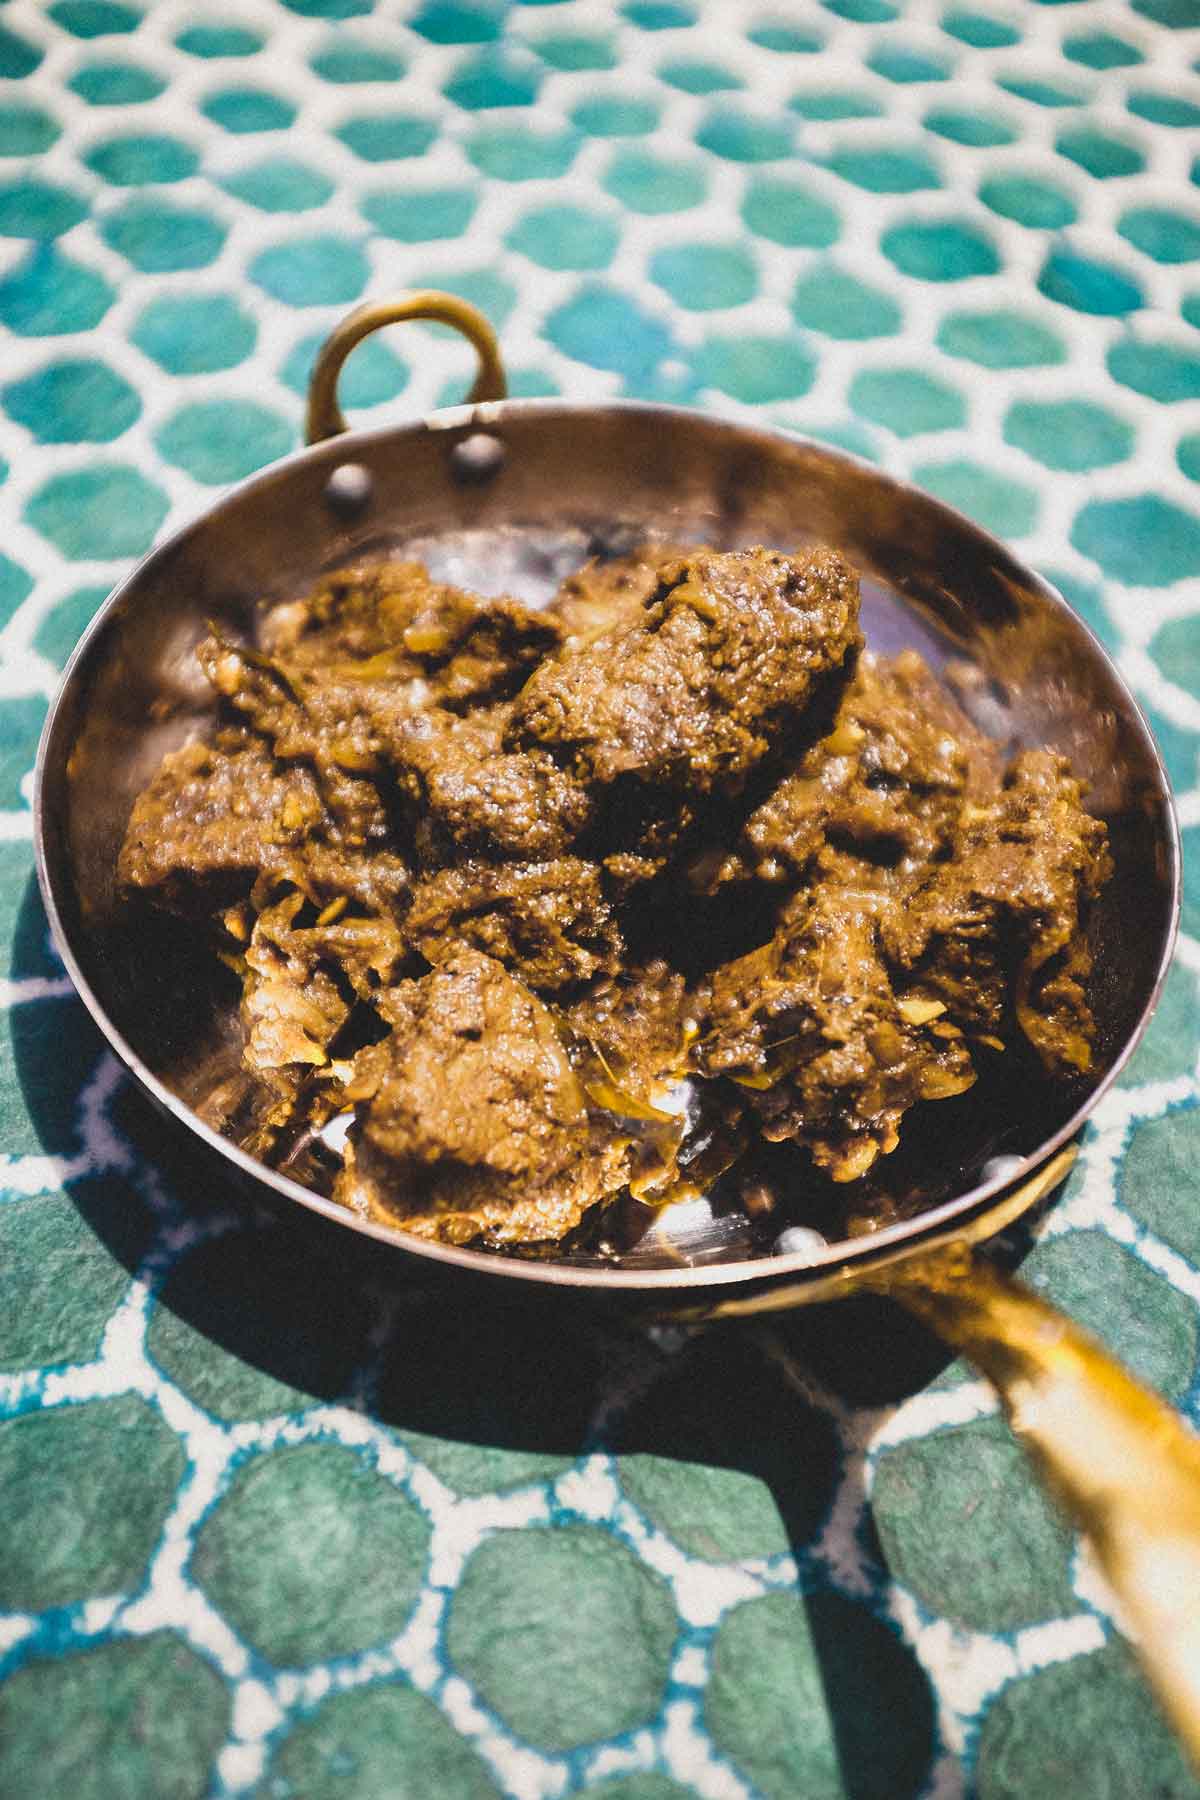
[{"x": 470, "y": 1119}]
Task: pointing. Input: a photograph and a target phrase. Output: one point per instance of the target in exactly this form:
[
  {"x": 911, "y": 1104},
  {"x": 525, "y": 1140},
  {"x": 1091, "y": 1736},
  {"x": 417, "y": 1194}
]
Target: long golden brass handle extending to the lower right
[{"x": 1120, "y": 1461}]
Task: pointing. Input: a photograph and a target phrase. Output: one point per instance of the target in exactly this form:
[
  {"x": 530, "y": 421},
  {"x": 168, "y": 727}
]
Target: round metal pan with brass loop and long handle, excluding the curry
[{"x": 512, "y": 496}]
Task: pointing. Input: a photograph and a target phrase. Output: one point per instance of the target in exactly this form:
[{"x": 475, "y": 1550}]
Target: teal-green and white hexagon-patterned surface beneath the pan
[{"x": 273, "y": 1527}]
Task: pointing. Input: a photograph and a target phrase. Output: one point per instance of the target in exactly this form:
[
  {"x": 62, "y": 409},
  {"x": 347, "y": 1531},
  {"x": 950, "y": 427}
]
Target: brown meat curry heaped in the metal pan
[{"x": 546, "y": 917}]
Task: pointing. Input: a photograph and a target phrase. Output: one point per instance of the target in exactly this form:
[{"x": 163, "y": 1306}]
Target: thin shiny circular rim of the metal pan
[{"x": 841, "y": 1254}]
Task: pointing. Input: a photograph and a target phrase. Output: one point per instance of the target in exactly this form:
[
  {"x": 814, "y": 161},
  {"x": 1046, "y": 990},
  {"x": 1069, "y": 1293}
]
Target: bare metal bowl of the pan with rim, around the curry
[{"x": 512, "y": 498}]
